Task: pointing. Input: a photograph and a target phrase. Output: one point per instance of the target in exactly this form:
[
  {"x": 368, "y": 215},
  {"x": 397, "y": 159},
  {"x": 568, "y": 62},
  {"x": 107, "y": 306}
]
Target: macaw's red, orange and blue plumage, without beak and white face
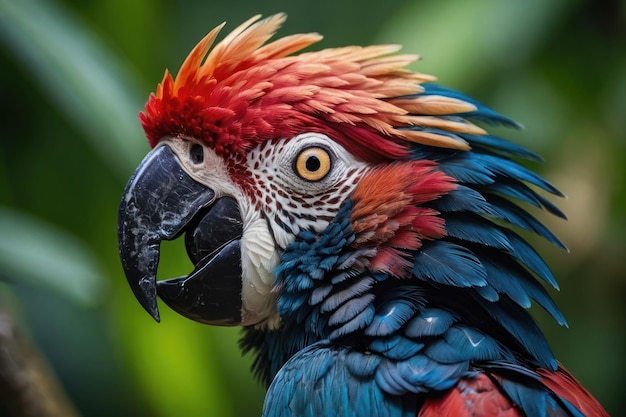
[{"x": 413, "y": 299}]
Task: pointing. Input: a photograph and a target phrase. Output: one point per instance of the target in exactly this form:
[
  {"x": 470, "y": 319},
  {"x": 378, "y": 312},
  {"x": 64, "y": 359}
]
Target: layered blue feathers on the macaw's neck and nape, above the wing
[{"x": 467, "y": 301}]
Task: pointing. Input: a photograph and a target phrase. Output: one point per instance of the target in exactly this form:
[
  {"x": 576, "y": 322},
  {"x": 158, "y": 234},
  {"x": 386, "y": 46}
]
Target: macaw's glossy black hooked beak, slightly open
[{"x": 161, "y": 201}]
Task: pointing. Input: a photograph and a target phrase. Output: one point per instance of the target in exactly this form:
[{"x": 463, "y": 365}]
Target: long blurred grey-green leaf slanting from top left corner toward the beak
[{"x": 90, "y": 85}]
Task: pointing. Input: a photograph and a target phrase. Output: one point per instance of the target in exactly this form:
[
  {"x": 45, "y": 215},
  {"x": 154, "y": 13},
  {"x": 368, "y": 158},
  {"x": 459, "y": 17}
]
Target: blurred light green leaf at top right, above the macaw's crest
[{"x": 462, "y": 41}]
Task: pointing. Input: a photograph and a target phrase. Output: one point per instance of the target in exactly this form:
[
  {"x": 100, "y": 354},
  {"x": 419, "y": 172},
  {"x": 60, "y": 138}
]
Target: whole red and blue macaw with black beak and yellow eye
[{"x": 356, "y": 220}]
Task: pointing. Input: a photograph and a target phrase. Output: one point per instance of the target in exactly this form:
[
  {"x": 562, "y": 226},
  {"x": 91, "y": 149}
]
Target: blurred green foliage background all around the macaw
[{"x": 76, "y": 73}]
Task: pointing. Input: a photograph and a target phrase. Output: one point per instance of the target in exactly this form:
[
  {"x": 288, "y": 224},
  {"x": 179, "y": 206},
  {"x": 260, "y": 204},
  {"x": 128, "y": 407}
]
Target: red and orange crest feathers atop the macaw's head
[{"x": 244, "y": 91}]
